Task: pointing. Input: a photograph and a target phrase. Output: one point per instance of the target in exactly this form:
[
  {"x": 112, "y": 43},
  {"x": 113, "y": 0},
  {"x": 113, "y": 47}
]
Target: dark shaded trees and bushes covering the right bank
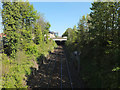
[{"x": 97, "y": 37}]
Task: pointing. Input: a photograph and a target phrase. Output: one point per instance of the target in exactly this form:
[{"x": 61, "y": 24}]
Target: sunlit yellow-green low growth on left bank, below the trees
[{"x": 15, "y": 71}]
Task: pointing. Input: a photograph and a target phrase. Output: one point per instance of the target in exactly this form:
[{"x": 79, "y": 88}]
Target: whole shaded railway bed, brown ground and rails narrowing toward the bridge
[{"x": 55, "y": 72}]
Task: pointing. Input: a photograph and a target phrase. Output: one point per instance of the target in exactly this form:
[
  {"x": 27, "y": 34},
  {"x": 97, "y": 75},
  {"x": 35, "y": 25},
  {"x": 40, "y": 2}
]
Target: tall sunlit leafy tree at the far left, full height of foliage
[{"x": 10, "y": 18}]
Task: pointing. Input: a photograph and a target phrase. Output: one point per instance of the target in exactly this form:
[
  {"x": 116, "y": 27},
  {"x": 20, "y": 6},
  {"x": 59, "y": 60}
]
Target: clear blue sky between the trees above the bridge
[{"x": 62, "y": 15}]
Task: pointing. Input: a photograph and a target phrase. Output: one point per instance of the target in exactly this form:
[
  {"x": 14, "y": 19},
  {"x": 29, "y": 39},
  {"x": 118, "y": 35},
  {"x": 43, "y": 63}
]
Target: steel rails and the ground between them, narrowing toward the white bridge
[{"x": 64, "y": 72}]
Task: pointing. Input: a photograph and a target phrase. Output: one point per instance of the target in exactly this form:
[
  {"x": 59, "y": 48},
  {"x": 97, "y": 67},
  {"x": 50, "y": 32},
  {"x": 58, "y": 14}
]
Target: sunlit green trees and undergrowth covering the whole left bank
[{"x": 24, "y": 44}]
